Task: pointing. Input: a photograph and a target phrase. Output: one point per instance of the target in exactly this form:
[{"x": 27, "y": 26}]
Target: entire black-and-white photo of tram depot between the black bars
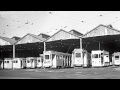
[{"x": 59, "y": 44}]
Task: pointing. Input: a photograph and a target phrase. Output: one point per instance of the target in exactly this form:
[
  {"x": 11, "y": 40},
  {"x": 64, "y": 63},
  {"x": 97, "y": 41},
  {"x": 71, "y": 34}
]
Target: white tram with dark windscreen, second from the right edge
[{"x": 100, "y": 58}]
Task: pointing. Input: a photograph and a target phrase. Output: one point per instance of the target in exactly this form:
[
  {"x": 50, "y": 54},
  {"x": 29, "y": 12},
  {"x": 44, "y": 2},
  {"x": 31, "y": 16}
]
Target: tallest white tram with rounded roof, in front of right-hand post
[{"x": 81, "y": 58}]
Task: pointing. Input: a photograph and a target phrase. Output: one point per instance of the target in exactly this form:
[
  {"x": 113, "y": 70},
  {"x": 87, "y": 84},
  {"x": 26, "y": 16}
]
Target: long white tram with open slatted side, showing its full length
[{"x": 55, "y": 59}]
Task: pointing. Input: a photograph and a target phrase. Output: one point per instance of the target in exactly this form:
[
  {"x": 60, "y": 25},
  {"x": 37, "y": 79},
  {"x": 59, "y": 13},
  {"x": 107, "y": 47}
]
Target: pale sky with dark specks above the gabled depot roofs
[{"x": 19, "y": 23}]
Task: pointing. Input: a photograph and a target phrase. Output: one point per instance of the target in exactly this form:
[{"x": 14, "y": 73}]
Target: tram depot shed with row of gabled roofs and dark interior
[{"x": 101, "y": 38}]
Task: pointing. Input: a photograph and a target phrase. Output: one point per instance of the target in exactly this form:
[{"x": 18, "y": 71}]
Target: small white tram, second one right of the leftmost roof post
[{"x": 31, "y": 62}]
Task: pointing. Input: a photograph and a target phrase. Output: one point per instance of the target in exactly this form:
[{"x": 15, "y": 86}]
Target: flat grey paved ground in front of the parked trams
[{"x": 71, "y": 73}]
